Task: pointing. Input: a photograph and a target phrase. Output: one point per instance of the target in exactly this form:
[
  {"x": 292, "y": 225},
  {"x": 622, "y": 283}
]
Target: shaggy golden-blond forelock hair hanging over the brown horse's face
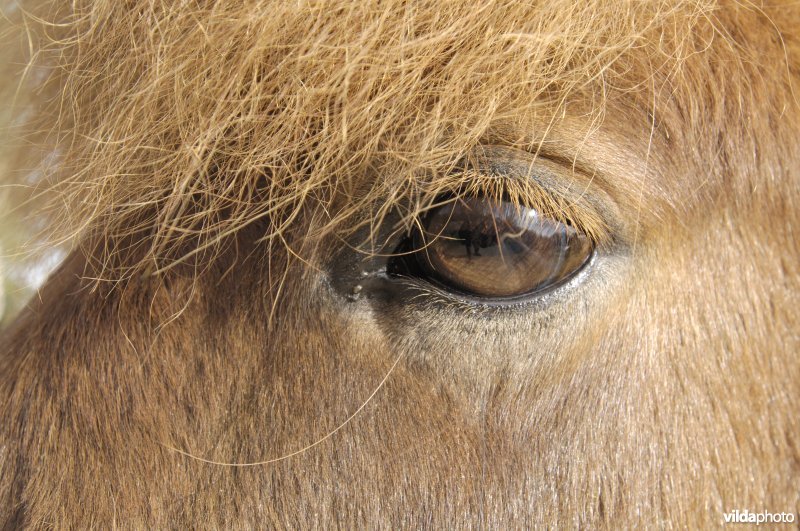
[{"x": 176, "y": 124}]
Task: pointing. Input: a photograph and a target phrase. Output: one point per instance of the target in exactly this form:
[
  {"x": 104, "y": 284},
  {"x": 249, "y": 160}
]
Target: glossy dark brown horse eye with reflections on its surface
[{"x": 493, "y": 250}]
